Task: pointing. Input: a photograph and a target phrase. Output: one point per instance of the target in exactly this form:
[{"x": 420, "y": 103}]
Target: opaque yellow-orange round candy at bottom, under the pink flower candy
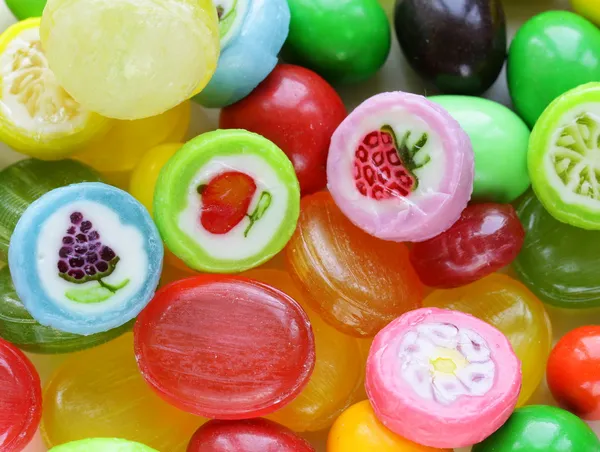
[{"x": 358, "y": 430}]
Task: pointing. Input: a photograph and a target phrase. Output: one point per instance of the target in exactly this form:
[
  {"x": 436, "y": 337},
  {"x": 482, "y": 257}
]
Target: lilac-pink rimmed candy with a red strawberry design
[{"x": 400, "y": 167}]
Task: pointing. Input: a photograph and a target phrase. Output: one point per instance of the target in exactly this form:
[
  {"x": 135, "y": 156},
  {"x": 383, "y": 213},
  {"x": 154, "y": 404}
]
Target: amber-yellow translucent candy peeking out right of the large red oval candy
[{"x": 338, "y": 372}]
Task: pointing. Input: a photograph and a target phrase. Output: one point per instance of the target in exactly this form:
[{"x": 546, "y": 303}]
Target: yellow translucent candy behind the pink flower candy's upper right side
[{"x": 509, "y": 306}]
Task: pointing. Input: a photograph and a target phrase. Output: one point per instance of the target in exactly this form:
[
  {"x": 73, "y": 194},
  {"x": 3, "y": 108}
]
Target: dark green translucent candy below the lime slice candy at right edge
[{"x": 558, "y": 262}]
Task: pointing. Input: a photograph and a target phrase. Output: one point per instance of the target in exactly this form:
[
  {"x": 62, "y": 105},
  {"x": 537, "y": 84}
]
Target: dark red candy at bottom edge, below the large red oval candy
[{"x": 251, "y": 435}]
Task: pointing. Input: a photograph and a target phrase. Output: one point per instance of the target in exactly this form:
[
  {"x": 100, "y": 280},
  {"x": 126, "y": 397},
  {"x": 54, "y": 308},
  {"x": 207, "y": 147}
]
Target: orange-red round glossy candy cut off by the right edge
[{"x": 573, "y": 372}]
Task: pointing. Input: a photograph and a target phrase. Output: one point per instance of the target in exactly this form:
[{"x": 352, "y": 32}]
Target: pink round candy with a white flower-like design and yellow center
[{"x": 442, "y": 378}]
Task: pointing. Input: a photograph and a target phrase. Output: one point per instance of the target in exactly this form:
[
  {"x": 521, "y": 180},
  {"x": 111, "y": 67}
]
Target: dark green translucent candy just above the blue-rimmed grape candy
[{"x": 27, "y": 180}]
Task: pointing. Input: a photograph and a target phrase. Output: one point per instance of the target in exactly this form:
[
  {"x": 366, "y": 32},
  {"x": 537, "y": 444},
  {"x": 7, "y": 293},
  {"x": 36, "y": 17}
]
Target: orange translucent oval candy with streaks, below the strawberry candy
[{"x": 356, "y": 282}]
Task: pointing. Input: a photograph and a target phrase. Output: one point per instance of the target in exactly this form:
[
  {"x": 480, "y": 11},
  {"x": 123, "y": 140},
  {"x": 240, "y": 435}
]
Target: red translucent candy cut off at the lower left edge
[{"x": 20, "y": 399}]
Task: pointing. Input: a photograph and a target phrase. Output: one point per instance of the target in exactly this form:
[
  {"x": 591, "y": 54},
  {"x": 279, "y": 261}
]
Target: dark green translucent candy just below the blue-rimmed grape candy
[{"x": 17, "y": 326}]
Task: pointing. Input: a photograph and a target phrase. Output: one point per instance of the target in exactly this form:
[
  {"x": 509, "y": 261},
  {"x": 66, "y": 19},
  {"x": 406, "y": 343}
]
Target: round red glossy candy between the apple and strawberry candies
[{"x": 298, "y": 111}]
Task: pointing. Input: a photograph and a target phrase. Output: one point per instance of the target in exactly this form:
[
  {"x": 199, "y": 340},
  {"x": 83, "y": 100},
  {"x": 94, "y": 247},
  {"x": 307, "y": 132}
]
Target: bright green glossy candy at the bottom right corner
[{"x": 541, "y": 428}]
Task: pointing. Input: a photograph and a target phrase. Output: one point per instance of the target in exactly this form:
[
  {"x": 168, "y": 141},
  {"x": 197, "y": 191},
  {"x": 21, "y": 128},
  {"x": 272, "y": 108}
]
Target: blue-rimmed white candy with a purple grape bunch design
[{"x": 85, "y": 258}]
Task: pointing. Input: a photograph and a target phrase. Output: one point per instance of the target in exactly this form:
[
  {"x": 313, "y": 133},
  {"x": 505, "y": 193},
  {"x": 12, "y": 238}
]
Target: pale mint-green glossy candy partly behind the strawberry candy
[{"x": 500, "y": 140}]
